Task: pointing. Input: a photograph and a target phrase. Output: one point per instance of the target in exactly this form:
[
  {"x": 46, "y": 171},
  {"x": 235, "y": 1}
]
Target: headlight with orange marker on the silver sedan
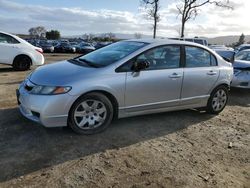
[{"x": 49, "y": 90}]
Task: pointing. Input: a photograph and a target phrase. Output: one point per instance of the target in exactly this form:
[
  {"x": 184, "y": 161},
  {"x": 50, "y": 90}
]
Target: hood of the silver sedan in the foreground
[{"x": 61, "y": 73}]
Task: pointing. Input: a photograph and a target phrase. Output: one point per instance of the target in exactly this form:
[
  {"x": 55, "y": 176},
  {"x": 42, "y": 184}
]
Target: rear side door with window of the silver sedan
[{"x": 200, "y": 74}]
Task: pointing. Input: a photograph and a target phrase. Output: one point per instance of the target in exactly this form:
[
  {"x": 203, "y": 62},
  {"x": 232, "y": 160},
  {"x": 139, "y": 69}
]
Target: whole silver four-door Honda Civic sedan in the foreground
[{"x": 127, "y": 78}]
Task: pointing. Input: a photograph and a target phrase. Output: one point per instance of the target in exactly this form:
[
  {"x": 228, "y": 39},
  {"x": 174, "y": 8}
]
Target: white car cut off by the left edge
[{"x": 18, "y": 53}]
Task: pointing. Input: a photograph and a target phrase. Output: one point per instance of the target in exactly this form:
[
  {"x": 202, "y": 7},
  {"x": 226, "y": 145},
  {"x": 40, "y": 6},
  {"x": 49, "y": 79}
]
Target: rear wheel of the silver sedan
[{"x": 218, "y": 100}]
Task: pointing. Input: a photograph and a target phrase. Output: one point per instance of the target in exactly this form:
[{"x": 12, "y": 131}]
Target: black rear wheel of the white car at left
[{"x": 22, "y": 63}]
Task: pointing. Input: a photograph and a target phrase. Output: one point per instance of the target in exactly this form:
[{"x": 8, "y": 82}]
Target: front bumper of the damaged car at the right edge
[{"x": 241, "y": 80}]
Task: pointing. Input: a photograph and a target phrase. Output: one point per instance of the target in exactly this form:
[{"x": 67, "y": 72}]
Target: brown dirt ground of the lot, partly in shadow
[{"x": 176, "y": 149}]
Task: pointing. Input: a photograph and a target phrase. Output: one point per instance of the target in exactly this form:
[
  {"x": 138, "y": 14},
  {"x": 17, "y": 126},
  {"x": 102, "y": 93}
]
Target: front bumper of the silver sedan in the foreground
[{"x": 48, "y": 110}]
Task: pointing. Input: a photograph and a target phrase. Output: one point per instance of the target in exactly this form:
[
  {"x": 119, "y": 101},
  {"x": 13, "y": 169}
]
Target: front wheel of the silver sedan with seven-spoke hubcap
[{"x": 90, "y": 114}]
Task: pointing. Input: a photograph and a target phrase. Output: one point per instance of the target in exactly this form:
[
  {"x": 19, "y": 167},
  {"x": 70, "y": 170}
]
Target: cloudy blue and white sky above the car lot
[{"x": 77, "y": 17}]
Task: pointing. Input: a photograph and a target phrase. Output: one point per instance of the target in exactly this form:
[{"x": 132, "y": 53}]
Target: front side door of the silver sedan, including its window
[{"x": 158, "y": 86}]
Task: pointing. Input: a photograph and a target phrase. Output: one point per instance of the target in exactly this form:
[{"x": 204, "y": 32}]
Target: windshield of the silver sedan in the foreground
[{"x": 112, "y": 53}]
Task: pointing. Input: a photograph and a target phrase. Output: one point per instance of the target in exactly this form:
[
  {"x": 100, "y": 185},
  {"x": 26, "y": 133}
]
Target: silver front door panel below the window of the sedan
[{"x": 151, "y": 89}]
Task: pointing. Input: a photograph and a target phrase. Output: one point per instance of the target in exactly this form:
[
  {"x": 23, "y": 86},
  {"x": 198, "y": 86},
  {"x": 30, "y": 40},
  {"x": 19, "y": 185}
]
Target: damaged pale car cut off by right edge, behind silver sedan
[{"x": 241, "y": 66}]
